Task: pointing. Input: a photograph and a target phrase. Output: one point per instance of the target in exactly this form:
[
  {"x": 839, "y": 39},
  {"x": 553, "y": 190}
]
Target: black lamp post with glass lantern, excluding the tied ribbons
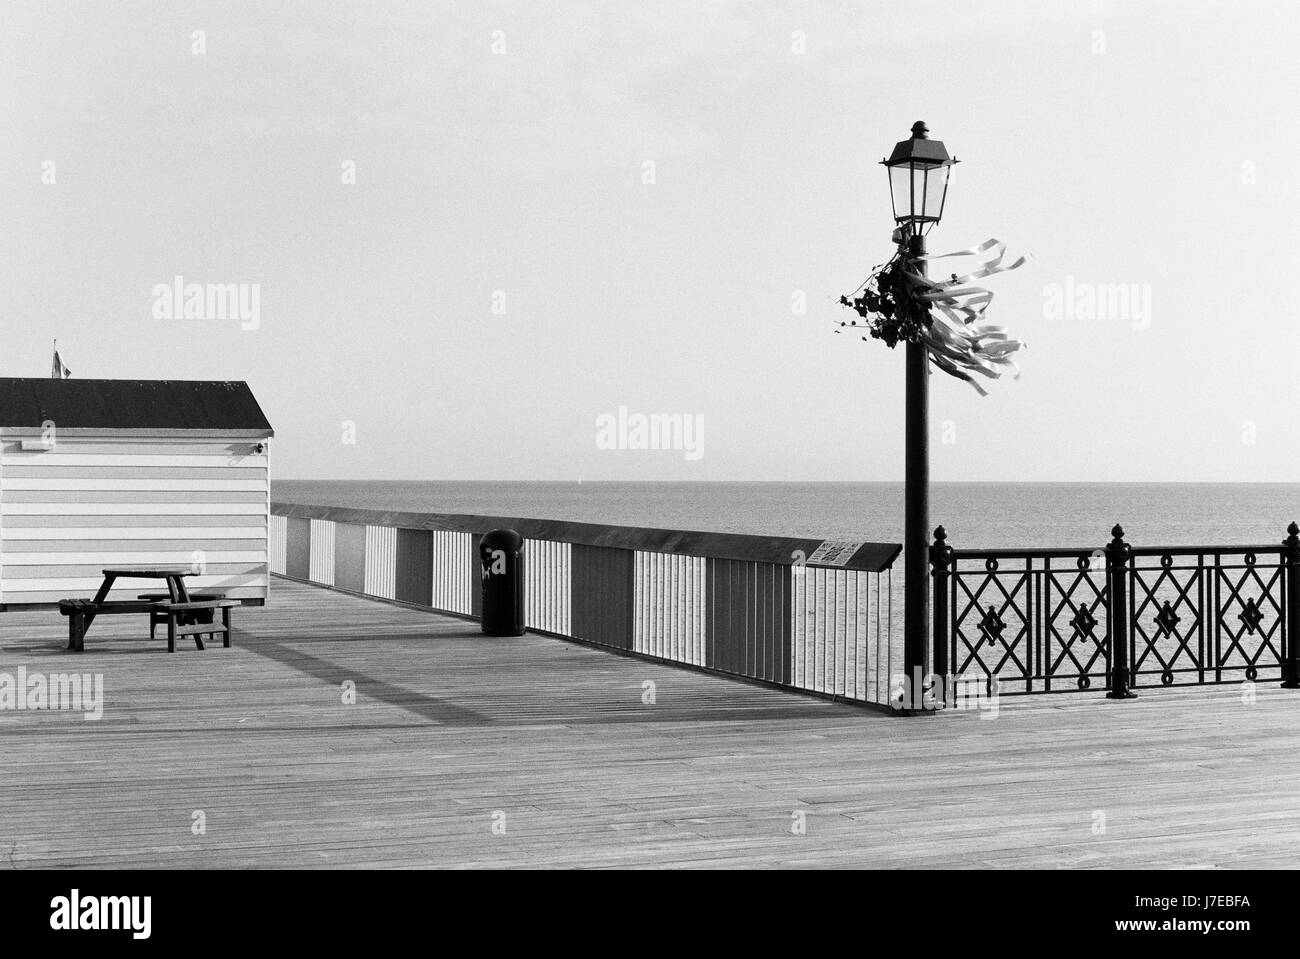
[{"x": 920, "y": 171}]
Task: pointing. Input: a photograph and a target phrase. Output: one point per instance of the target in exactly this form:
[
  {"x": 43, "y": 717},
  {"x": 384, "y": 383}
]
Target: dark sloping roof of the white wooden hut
[{"x": 131, "y": 405}]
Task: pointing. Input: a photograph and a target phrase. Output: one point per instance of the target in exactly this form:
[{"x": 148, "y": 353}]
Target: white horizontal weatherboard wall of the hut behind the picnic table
[{"x": 111, "y": 501}]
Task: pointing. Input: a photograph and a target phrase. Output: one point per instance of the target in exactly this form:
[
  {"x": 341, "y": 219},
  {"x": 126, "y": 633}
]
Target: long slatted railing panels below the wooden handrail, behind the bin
[{"x": 829, "y": 631}]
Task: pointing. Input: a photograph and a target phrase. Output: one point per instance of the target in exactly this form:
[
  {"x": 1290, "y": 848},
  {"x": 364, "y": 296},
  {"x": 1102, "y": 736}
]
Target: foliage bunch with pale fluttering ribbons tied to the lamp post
[{"x": 960, "y": 339}]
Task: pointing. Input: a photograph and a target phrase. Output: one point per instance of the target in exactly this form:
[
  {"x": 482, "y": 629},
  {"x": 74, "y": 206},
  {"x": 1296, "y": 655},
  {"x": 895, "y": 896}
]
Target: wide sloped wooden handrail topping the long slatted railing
[{"x": 873, "y": 558}]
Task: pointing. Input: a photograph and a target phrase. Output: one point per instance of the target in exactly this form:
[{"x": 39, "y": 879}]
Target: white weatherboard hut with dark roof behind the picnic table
[{"x": 102, "y": 474}]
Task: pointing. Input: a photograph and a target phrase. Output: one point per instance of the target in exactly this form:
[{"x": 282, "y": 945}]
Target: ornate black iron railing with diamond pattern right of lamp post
[{"x": 1117, "y": 618}]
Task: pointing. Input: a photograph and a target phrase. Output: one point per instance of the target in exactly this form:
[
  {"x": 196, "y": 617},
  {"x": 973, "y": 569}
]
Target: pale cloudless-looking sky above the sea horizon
[{"x": 1152, "y": 145}]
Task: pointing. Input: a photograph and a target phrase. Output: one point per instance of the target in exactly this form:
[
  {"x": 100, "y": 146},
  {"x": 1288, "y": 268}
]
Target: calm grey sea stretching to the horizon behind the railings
[{"x": 976, "y": 515}]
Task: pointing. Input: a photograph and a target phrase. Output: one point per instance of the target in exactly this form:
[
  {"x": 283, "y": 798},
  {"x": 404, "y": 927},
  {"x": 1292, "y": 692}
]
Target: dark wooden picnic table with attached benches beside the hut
[{"x": 183, "y": 614}]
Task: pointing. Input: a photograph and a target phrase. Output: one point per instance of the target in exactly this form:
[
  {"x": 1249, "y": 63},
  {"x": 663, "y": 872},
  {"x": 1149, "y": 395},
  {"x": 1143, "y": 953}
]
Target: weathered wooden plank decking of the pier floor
[{"x": 452, "y": 727}]
